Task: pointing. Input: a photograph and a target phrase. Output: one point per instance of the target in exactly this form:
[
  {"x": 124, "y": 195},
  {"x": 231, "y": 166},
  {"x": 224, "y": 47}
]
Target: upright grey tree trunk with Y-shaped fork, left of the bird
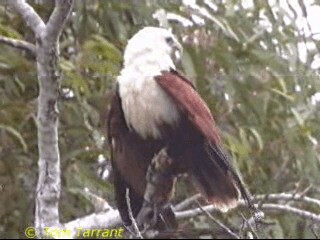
[{"x": 47, "y": 52}]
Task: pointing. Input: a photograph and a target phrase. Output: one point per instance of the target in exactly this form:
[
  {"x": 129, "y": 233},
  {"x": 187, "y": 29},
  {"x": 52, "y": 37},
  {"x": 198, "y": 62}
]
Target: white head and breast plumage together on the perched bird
[{"x": 144, "y": 103}]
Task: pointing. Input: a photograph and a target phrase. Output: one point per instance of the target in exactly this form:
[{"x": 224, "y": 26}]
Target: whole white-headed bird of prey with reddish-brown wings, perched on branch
[{"x": 155, "y": 107}]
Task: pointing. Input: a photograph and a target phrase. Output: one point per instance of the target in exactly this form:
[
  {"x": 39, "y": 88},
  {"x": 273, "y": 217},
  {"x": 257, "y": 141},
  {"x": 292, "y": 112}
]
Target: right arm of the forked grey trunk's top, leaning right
[{"x": 57, "y": 19}]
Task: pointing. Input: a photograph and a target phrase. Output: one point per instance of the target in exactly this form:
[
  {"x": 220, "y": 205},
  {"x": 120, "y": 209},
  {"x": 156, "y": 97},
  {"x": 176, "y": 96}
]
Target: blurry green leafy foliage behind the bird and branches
[{"x": 253, "y": 64}]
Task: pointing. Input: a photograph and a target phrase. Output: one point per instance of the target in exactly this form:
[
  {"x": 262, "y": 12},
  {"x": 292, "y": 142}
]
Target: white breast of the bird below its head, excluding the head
[{"x": 145, "y": 104}]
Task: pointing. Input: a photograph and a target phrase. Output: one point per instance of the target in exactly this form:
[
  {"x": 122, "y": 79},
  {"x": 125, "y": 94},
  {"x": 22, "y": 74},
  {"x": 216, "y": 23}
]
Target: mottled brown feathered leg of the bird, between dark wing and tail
[{"x": 159, "y": 189}]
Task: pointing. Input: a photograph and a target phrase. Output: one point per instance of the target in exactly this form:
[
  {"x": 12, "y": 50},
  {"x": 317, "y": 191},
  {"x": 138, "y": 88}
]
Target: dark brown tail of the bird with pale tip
[{"x": 216, "y": 178}]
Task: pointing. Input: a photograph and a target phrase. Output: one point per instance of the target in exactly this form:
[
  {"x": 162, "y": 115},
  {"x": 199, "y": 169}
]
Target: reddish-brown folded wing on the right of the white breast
[{"x": 193, "y": 106}]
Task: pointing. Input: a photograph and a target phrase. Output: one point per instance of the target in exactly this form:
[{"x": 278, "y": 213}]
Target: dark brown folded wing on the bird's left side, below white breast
[{"x": 118, "y": 135}]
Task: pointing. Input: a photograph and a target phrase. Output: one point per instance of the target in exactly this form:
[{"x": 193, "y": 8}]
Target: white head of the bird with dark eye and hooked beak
[{"x": 157, "y": 43}]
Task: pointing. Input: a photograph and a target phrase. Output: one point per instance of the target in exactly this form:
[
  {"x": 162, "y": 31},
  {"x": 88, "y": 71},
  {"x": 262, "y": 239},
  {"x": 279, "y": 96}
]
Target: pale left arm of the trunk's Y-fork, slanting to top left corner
[{"x": 29, "y": 15}]
